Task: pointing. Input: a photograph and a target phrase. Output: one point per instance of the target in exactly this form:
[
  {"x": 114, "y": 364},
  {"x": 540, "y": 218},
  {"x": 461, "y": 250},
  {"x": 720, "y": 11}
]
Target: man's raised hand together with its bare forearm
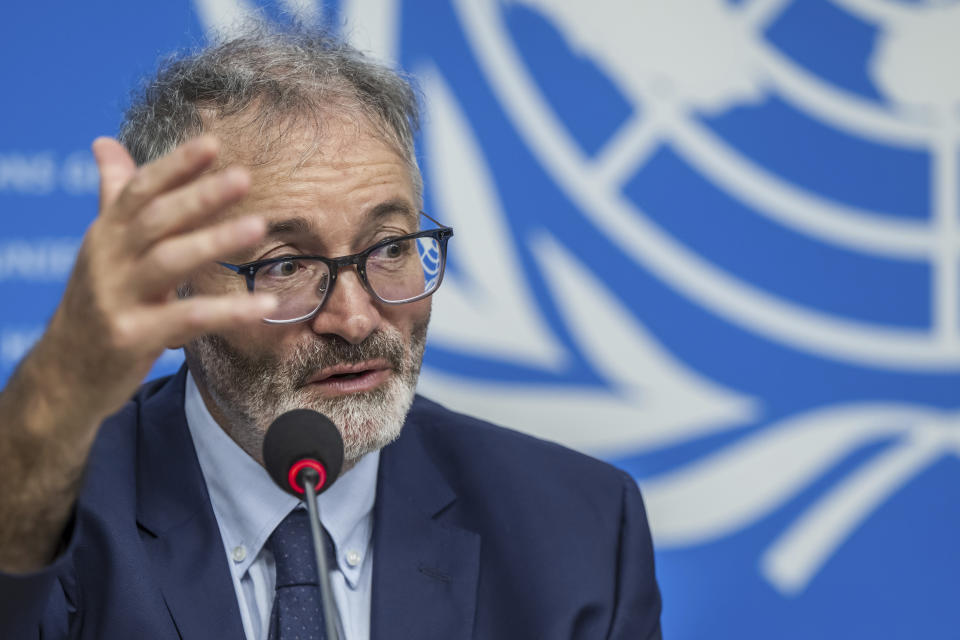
[{"x": 157, "y": 224}]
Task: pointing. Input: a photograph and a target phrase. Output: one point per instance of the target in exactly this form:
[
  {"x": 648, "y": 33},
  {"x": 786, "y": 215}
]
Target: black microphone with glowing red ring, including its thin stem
[{"x": 303, "y": 453}]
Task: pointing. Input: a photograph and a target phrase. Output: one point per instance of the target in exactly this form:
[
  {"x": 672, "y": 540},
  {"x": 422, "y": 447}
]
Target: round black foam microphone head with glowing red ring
[{"x": 298, "y": 440}]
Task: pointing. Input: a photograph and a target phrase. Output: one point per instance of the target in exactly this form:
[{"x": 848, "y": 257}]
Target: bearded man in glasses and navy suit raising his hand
[{"x": 246, "y": 172}]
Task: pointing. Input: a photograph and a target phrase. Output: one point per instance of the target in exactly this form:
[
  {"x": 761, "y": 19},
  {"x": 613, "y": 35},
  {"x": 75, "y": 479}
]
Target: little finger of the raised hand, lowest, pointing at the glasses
[{"x": 182, "y": 320}]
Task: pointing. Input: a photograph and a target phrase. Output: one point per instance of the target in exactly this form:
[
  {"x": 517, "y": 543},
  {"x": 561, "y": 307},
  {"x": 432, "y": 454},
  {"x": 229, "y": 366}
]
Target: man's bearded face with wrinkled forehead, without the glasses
[{"x": 357, "y": 360}]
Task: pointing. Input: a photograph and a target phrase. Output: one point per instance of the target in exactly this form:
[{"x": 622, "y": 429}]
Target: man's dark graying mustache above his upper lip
[{"x": 329, "y": 351}]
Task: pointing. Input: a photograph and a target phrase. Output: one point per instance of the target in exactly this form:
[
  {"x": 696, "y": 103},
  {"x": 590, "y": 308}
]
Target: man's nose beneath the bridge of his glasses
[{"x": 350, "y": 312}]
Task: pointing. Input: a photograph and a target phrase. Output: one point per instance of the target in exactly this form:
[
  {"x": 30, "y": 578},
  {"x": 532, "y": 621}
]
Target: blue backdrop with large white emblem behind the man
[{"x": 713, "y": 241}]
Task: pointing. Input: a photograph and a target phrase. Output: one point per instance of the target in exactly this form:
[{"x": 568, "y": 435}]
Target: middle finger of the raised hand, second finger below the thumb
[{"x": 188, "y": 207}]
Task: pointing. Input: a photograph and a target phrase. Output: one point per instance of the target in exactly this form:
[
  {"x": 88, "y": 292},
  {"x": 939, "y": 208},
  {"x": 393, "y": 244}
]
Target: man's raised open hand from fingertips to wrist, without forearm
[{"x": 156, "y": 225}]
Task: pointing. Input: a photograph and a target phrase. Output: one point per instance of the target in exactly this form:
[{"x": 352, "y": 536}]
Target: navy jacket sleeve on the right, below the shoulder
[{"x": 637, "y": 608}]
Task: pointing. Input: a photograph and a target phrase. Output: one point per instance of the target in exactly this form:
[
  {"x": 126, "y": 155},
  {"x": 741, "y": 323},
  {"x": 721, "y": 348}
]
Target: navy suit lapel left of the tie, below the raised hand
[{"x": 178, "y": 528}]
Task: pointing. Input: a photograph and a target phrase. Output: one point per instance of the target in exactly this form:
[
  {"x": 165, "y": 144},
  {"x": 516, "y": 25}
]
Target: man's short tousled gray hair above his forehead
[{"x": 274, "y": 81}]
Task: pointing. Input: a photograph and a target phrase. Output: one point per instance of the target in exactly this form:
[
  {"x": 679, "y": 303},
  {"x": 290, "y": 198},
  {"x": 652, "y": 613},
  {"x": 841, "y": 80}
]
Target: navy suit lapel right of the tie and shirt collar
[{"x": 425, "y": 568}]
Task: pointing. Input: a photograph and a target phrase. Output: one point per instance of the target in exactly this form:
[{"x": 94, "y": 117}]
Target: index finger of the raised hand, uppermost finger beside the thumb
[{"x": 178, "y": 167}]
